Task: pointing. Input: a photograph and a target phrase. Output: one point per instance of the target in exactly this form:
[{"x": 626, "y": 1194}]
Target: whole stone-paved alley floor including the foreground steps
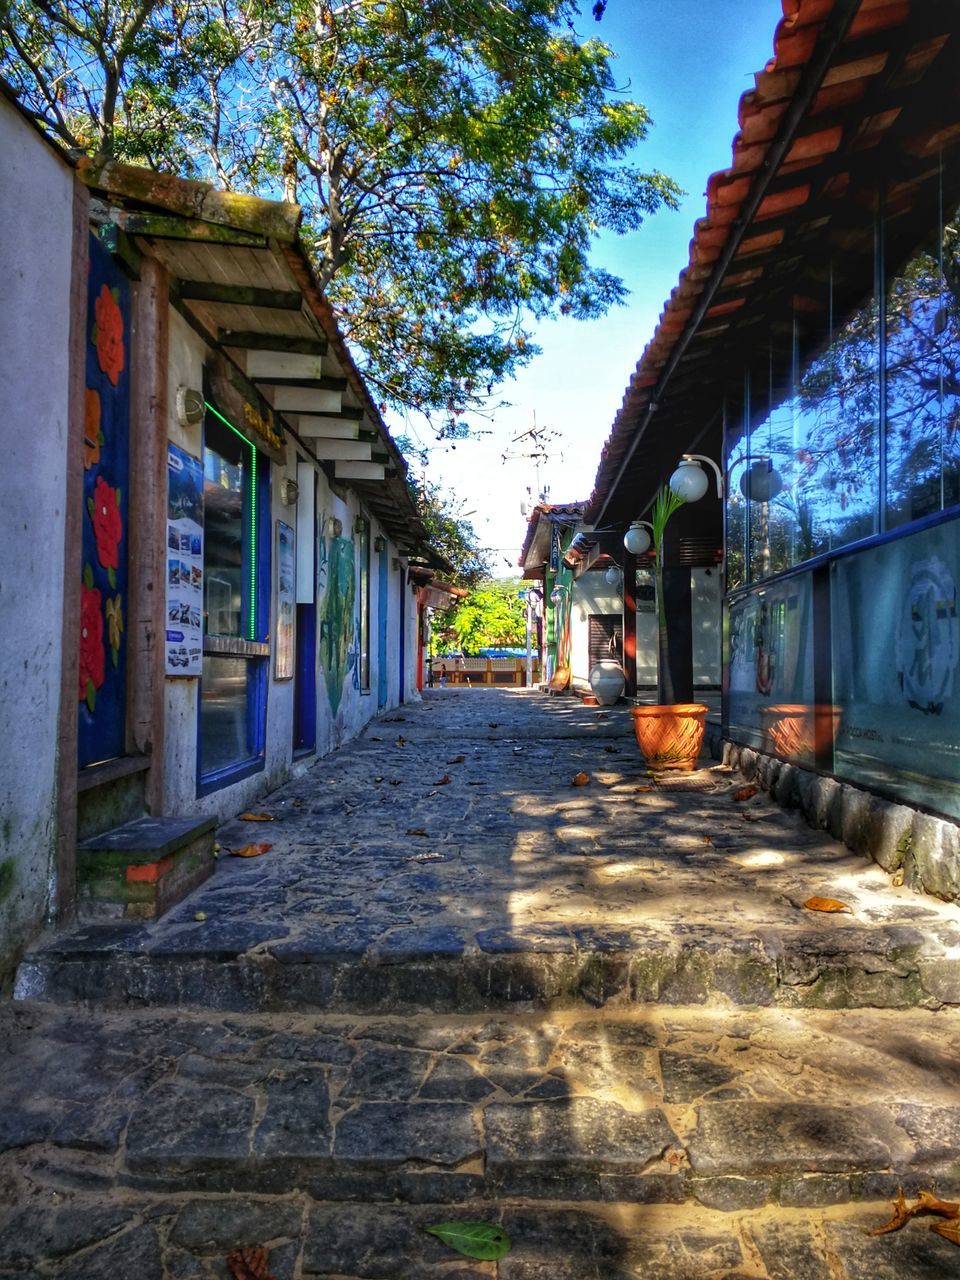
[{"x": 598, "y": 1016}]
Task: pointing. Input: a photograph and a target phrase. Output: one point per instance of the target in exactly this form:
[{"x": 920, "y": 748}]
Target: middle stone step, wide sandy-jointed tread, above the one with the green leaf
[{"x": 725, "y": 1112}]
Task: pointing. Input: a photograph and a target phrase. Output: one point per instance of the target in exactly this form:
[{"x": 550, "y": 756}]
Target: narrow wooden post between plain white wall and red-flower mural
[{"x": 66, "y": 890}]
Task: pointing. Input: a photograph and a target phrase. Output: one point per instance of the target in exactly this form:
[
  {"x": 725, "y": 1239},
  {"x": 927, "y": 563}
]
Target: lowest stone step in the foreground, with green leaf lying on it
[{"x": 85, "y": 1238}]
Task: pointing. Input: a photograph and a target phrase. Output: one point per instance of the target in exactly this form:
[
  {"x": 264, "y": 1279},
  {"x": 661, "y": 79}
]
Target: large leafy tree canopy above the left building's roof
[{"x": 456, "y": 159}]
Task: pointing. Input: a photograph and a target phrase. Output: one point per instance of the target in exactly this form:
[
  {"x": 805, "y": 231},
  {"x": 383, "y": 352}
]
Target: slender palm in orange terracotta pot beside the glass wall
[{"x": 670, "y": 734}]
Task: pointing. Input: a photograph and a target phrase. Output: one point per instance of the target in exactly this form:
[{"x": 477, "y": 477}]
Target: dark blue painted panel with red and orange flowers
[{"x": 103, "y": 651}]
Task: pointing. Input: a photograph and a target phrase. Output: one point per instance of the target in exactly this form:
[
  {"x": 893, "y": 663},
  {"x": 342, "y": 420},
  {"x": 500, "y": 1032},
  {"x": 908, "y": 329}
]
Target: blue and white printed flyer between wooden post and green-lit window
[{"x": 185, "y": 565}]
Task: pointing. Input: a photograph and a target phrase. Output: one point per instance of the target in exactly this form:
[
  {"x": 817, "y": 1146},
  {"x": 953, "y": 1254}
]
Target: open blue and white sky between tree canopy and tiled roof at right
[{"x": 689, "y": 62}]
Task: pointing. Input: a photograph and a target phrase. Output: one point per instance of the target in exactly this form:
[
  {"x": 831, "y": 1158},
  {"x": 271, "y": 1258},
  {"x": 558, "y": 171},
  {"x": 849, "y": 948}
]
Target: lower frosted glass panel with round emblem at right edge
[{"x": 895, "y": 659}]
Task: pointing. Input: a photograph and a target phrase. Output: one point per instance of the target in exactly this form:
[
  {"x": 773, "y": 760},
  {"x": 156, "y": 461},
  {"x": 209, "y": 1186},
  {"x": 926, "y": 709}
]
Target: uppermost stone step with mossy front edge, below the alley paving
[{"x": 358, "y": 968}]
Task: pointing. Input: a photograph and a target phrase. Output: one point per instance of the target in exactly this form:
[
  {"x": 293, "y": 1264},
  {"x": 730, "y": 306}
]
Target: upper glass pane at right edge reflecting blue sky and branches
[{"x": 924, "y": 376}]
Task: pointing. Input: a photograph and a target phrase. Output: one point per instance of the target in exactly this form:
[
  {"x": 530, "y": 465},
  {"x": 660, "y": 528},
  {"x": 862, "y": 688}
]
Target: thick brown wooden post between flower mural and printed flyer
[{"x": 147, "y": 618}]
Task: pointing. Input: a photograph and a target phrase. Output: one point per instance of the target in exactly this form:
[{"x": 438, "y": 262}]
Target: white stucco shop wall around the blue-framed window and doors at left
[{"x": 335, "y": 725}]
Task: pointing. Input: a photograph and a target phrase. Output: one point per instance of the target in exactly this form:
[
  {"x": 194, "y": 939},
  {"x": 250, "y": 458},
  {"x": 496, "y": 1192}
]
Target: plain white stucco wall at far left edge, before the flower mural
[{"x": 36, "y": 214}]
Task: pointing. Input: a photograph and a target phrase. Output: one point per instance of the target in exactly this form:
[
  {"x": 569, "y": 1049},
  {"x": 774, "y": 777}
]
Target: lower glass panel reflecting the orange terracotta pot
[{"x": 771, "y": 670}]
